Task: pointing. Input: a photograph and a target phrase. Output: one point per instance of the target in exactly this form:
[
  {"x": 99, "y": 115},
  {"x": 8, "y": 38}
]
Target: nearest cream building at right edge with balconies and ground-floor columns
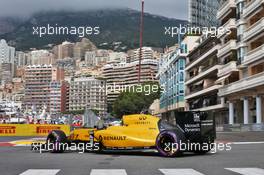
[{"x": 243, "y": 50}]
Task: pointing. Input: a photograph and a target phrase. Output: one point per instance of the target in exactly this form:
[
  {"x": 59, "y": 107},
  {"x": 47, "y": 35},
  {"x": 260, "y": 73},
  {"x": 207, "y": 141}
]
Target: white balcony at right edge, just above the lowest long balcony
[{"x": 253, "y": 56}]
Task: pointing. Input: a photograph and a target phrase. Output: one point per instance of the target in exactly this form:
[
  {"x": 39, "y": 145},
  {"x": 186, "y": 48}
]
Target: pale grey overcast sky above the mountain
[{"x": 169, "y": 8}]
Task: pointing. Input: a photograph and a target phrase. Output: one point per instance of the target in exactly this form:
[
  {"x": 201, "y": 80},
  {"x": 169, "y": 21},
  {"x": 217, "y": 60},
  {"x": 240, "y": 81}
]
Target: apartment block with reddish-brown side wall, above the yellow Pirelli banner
[{"x": 39, "y": 87}]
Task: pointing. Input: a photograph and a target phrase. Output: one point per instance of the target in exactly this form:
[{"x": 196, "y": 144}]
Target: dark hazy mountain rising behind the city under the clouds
[{"x": 119, "y": 29}]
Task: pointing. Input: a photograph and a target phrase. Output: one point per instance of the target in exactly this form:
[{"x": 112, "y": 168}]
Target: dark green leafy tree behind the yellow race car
[{"x": 136, "y": 99}]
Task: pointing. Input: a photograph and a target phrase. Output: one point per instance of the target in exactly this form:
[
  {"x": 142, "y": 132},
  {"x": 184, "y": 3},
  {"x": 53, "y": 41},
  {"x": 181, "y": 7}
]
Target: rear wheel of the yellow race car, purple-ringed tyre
[{"x": 168, "y": 143}]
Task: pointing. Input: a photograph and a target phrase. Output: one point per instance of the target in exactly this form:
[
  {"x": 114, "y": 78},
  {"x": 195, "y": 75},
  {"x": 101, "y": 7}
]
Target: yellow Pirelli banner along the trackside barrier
[{"x": 30, "y": 129}]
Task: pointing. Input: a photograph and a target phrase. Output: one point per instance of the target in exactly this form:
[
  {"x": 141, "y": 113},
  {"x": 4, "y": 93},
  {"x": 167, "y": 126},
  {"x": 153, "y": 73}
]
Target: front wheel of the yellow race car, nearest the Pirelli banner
[{"x": 56, "y": 141}]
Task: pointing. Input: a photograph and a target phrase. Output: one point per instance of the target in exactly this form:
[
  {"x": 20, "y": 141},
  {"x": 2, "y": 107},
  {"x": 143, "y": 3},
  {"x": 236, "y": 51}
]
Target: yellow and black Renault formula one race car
[{"x": 193, "y": 131}]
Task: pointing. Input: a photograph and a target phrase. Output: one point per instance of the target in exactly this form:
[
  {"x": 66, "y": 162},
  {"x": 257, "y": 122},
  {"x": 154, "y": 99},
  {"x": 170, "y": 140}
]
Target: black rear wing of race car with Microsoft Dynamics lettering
[{"x": 197, "y": 126}]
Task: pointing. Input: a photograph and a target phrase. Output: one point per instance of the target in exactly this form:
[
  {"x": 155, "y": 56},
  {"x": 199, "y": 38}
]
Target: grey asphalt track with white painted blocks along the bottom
[{"x": 247, "y": 159}]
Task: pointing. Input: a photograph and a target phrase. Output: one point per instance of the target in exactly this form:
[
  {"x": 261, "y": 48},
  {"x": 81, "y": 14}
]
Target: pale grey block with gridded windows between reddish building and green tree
[{"x": 87, "y": 92}]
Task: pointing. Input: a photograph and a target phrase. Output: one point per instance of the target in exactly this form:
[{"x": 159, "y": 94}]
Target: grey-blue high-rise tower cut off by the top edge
[{"x": 202, "y": 13}]
